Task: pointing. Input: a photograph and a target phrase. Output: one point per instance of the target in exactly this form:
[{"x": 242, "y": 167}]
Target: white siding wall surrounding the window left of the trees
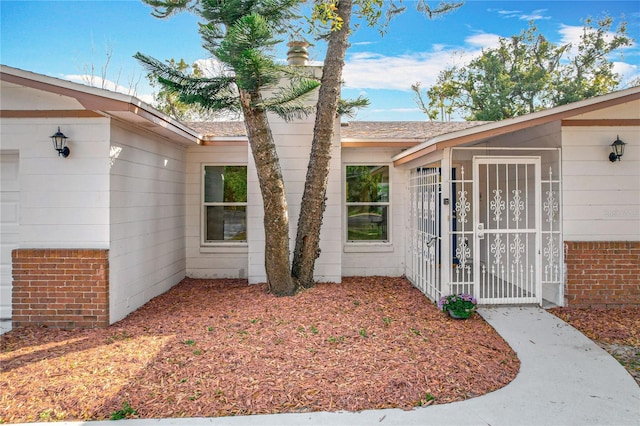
[{"x": 226, "y": 260}]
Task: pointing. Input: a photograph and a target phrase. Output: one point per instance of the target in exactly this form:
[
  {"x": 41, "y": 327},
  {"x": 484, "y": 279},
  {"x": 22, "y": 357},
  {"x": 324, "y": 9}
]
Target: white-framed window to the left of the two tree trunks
[{"x": 224, "y": 204}]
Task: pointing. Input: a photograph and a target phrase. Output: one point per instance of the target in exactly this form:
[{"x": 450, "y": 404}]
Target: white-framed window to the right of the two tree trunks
[{"x": 367, "y": 202}]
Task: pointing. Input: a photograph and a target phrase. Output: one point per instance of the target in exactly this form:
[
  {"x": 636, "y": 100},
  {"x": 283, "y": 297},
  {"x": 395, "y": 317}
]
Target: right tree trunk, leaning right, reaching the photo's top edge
[{"x": 307, "y": 248}]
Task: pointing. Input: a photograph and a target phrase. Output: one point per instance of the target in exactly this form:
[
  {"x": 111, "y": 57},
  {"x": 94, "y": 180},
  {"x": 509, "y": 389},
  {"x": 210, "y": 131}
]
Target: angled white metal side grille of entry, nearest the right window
[{"x": 423, "y": 251}]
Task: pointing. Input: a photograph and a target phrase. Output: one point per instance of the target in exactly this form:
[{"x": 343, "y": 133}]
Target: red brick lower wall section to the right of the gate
[{"x": 602, "y": 274}]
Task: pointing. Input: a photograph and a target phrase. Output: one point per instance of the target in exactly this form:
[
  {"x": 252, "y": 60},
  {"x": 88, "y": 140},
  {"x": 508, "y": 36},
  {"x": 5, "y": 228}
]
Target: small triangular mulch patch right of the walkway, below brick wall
[{"x": 616, "y": 330}]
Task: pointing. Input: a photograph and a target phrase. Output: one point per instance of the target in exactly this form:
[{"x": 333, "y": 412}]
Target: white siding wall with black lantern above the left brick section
[{"x": 64, "y": 202}]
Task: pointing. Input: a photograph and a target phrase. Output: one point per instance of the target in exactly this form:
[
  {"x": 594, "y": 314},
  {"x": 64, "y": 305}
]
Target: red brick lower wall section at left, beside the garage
[{"x": 60, "y": 287}]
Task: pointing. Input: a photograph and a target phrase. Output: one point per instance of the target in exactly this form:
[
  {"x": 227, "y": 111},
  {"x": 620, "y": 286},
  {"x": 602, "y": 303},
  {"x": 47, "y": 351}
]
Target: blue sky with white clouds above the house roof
[{"x": 65, "y": 39}]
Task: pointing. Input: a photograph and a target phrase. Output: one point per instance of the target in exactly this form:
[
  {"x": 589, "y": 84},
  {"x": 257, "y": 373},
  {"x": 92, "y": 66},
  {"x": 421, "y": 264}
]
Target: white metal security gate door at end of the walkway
[{"x": 506, "y": 193}]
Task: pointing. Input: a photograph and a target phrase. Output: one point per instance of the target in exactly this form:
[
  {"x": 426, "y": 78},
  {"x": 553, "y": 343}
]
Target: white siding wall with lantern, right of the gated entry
[{"x": 601, "y": 199}]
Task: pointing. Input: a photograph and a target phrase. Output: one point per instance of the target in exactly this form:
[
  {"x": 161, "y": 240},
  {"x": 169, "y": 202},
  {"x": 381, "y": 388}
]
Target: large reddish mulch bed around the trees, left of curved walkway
[{"x": 222, "y": 348}]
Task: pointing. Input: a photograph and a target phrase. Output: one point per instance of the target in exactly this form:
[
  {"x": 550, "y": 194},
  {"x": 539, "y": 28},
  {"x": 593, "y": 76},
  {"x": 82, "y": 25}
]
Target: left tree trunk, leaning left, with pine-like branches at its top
[{"x": 276, "y": 219}]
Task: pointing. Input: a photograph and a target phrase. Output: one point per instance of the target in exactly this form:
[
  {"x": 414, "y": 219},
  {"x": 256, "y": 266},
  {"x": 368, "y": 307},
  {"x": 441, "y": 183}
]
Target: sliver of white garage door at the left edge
[{"x": 9, "y": 197}]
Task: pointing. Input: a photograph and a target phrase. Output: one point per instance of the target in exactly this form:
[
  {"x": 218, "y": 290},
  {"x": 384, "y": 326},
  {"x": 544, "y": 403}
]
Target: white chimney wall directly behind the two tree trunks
[{"x": 294, "y": 145}]
